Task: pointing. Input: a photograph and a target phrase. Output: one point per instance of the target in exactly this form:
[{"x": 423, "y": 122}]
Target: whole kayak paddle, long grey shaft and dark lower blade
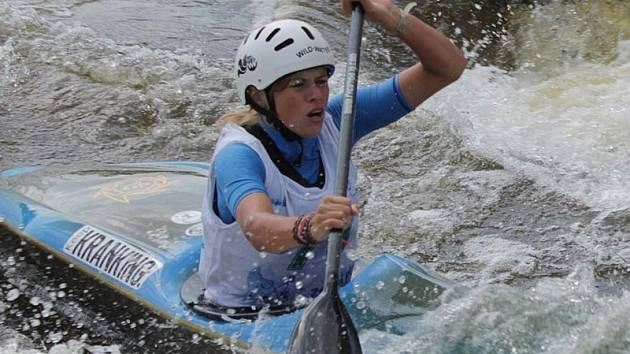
[{"x": 325, "y": 326}]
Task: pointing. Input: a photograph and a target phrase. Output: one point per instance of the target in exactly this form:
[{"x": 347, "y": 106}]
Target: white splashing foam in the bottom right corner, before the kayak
[{"x": 553, "y": 316}]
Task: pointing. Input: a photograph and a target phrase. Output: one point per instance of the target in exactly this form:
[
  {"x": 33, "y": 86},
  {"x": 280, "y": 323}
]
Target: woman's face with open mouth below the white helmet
[{"x": 302, "y": 100}]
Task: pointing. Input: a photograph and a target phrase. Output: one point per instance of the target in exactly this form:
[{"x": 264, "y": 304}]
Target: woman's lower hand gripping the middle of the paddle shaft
[{"x": 334, "y": 212}]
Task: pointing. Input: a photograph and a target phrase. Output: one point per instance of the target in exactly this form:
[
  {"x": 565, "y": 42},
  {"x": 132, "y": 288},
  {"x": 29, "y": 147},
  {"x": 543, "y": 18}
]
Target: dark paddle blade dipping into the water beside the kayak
[{"x": 325, "y": 327}]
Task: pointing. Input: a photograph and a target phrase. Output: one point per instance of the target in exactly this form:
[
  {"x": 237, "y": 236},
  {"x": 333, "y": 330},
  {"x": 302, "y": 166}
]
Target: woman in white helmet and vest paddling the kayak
[{"x": 269, "y": 204}]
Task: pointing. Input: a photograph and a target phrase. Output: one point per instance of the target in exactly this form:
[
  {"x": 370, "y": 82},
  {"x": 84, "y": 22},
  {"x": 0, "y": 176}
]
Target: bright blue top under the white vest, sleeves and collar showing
[{"x": 239, "y": 171}]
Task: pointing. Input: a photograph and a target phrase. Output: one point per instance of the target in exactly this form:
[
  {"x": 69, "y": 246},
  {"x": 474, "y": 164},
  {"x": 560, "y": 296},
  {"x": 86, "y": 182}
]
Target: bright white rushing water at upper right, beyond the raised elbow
[{"x": 562, "y": 117}]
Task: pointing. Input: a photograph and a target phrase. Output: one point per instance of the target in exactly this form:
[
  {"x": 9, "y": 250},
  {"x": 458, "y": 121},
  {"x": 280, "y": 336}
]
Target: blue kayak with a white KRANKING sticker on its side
[{"x": 137, "y": 228}]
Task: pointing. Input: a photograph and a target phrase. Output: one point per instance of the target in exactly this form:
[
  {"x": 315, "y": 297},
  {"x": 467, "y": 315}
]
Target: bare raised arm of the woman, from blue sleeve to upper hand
[{"x": 440, "y": 62}]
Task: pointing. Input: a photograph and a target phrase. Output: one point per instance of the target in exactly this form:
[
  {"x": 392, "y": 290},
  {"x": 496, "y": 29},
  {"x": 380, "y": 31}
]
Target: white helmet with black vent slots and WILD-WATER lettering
[{"x": 278, "y": 49}]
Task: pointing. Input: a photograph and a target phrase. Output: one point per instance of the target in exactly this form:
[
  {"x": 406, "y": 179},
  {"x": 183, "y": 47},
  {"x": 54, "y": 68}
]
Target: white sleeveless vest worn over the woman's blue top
[{"x": 233, "y": 272}]
